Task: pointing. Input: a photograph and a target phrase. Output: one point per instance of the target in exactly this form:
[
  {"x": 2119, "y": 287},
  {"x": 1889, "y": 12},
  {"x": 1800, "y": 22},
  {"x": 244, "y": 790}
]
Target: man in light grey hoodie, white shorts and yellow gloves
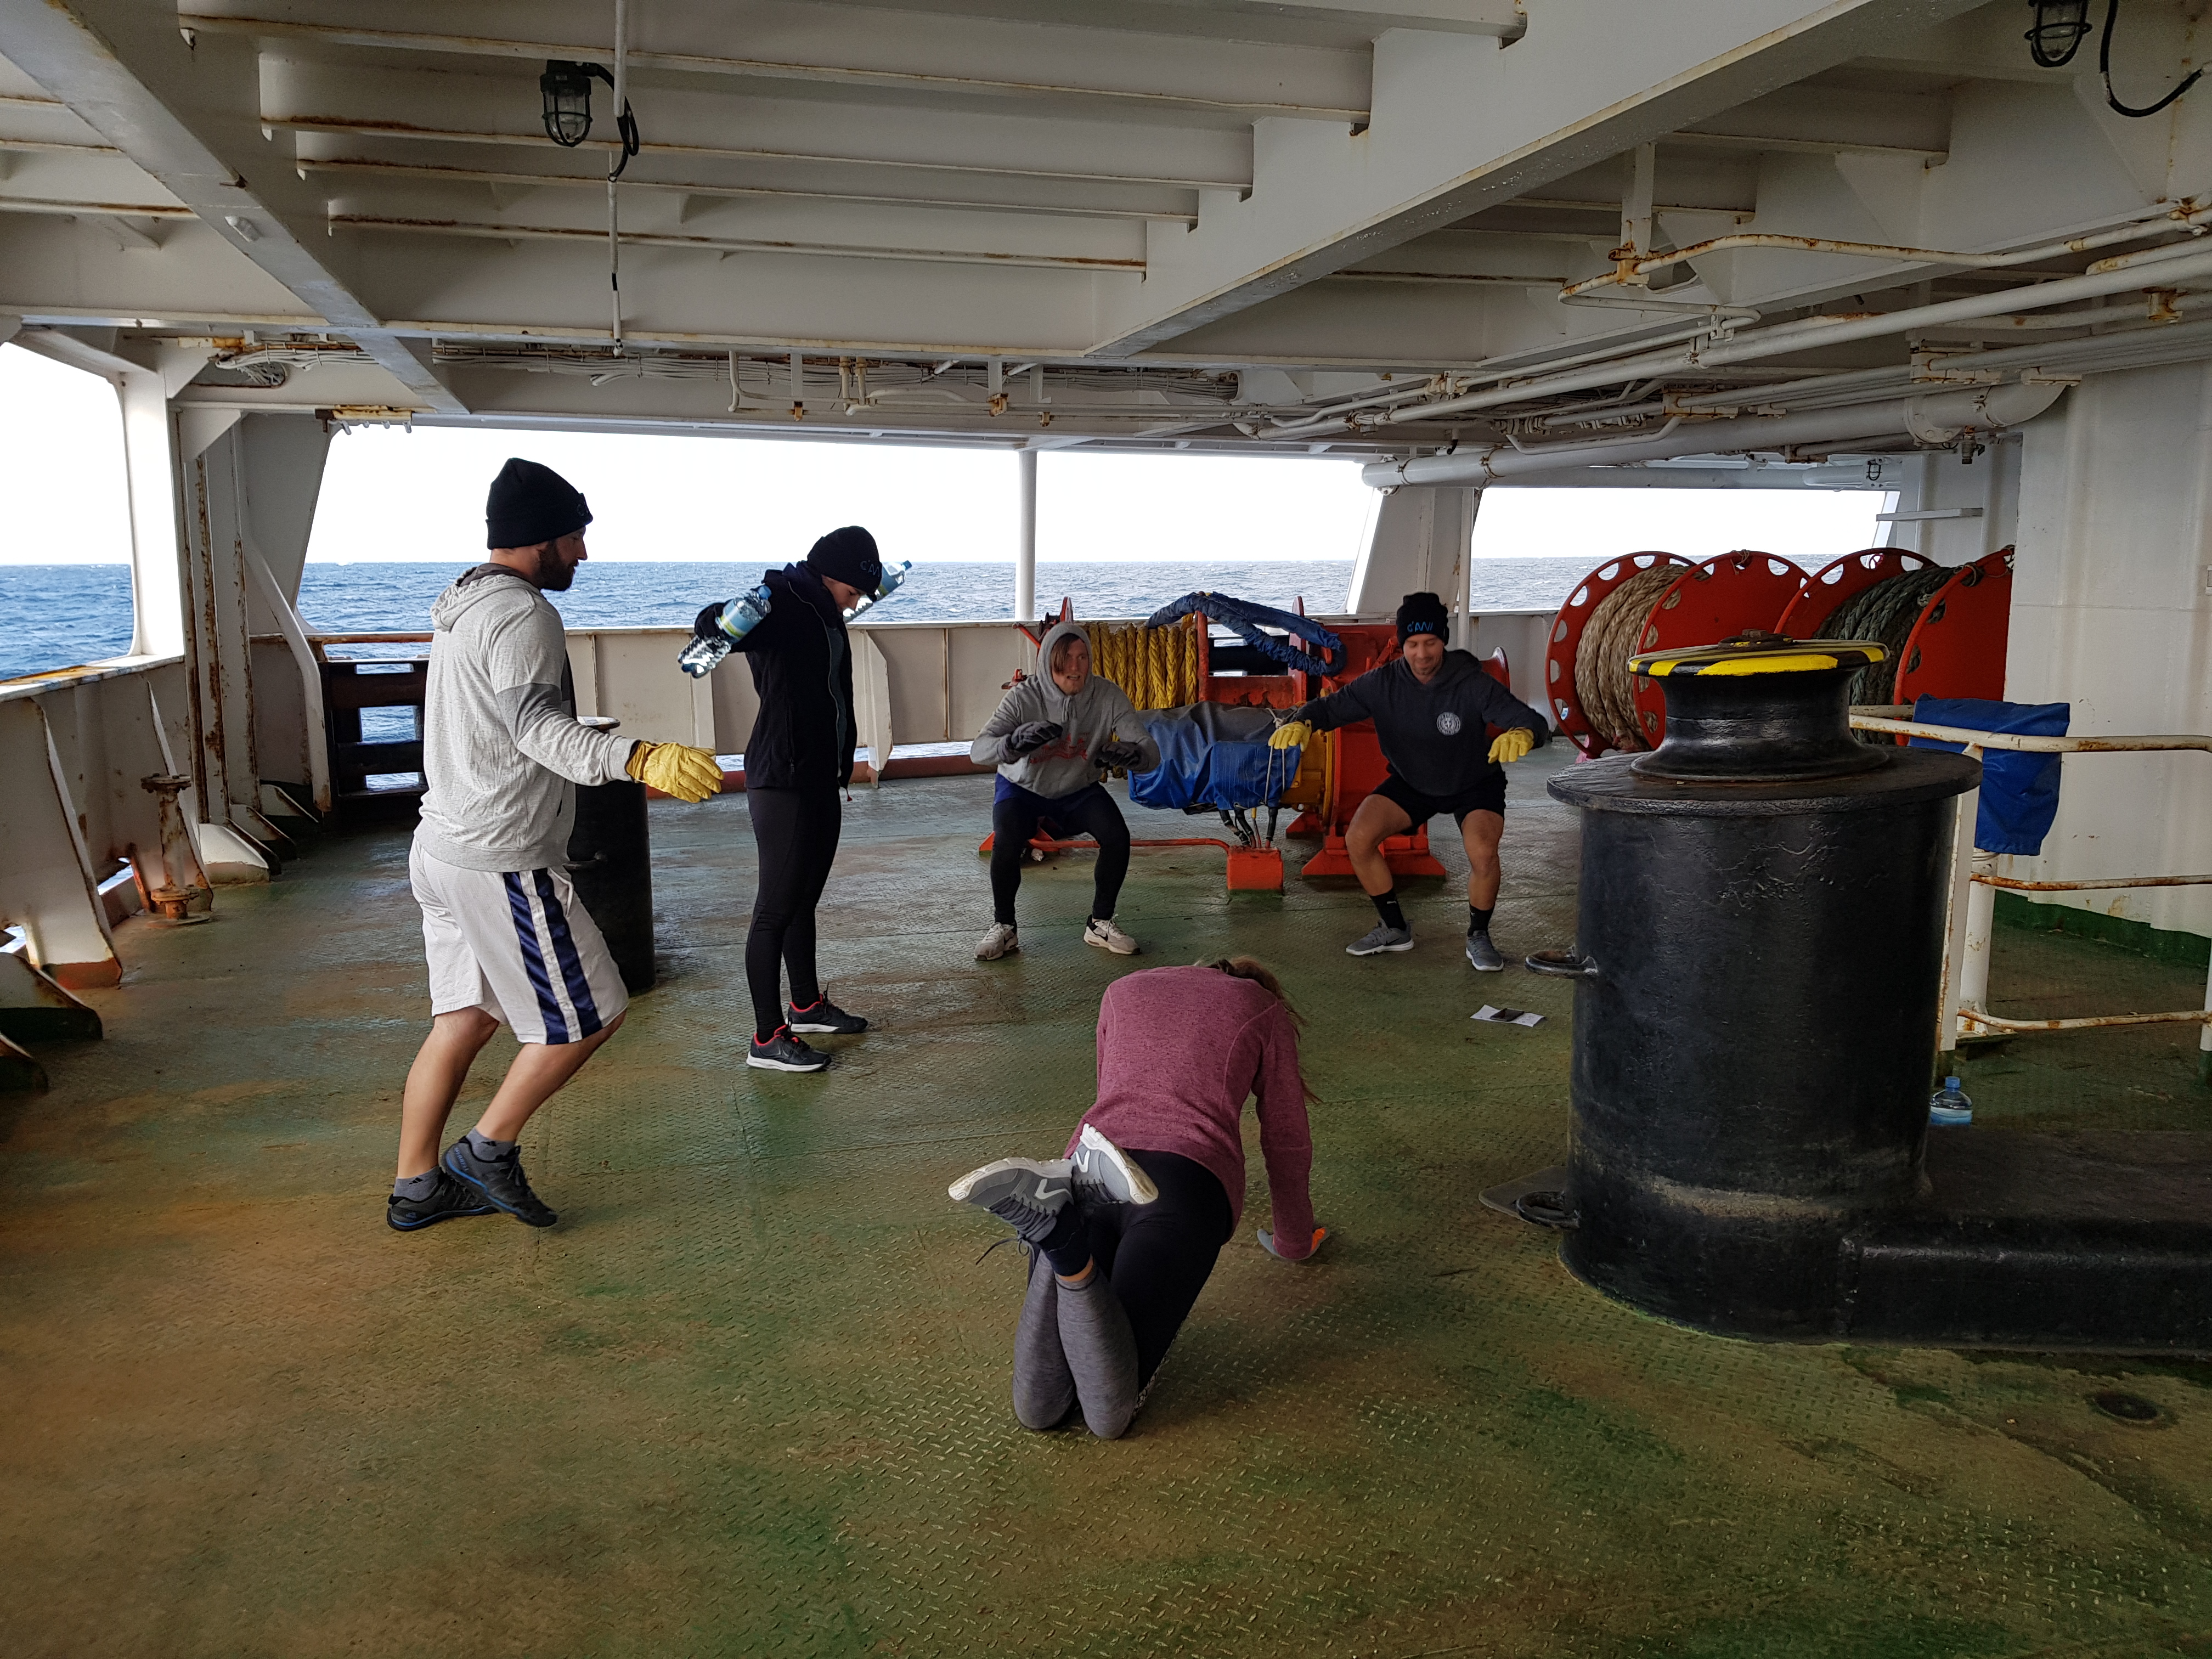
[{"x": 505, "y": 935}]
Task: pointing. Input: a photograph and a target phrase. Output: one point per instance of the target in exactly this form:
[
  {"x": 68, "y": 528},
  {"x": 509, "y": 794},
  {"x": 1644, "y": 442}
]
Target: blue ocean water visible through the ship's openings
[{"x": 56, "y": 616}]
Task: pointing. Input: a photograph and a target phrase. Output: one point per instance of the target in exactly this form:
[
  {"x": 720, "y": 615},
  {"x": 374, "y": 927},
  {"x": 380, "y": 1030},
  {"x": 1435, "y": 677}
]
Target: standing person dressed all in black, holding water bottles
[{"x": 797, "y": 762}]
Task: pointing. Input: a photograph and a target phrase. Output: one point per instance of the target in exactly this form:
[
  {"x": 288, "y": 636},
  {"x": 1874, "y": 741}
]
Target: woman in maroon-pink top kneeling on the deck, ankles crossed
[{"x": 1127, "y": 1227}]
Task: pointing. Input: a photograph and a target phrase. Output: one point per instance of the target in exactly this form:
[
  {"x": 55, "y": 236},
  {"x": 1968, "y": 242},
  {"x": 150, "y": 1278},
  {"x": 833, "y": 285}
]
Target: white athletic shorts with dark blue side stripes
[{"x": 517, "y": 946}]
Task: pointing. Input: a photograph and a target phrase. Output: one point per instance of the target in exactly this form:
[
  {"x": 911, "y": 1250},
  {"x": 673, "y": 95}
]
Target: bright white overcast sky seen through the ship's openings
[{"x": 395, "y": 494}]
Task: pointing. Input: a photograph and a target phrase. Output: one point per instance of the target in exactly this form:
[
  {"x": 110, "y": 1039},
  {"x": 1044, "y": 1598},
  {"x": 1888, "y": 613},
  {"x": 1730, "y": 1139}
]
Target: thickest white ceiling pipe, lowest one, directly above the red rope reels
[{"x": 1932, "y": 417}]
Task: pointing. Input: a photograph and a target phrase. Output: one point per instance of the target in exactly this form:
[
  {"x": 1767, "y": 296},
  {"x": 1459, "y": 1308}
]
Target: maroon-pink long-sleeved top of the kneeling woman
[{"x": 1180, "y": 1052}]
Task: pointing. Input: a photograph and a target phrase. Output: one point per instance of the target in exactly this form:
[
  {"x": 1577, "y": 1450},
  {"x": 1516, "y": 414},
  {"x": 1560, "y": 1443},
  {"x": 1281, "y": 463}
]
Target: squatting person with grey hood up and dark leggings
[{"x": 1050, "y": 740}]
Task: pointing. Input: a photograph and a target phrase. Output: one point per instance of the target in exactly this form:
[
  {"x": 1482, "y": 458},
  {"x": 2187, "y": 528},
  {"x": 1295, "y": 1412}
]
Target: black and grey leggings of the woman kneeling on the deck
[{"x": 1100, "y": 1346}]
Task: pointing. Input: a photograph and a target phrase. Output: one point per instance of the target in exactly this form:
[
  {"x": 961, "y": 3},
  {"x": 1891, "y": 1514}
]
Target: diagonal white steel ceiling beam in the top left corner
[{"x": 129, "y": 76}]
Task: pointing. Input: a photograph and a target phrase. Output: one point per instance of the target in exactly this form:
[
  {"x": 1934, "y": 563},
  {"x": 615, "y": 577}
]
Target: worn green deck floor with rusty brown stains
[{"x": 751, "y": 1395}]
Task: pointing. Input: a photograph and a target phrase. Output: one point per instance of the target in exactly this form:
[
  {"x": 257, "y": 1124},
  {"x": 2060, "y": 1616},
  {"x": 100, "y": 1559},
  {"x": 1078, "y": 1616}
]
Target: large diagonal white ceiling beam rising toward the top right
[{"x": 1463, "y": 125}]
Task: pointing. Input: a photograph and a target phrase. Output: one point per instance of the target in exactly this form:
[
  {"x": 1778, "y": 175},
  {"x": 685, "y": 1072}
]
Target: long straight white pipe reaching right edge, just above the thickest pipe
[{"x": 1817, "y": 333}]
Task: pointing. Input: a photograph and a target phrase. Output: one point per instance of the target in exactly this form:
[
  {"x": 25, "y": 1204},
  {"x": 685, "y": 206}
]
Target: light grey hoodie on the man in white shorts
[{"x": 501, "y": 744}]
